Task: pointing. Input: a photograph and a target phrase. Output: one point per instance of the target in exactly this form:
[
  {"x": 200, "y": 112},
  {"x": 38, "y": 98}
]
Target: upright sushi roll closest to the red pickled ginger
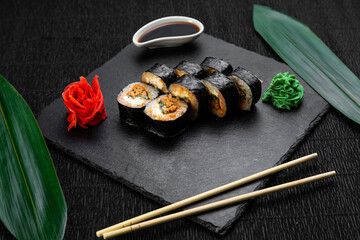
[{"x": 132, "y": 101}]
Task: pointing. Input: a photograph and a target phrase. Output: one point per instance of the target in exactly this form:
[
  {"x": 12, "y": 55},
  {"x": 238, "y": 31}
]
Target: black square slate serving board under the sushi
[{"x": 210, "y": 153}]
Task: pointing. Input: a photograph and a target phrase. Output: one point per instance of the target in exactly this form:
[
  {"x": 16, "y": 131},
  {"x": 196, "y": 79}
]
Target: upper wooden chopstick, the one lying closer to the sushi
[{"x": 206, "y": 194}]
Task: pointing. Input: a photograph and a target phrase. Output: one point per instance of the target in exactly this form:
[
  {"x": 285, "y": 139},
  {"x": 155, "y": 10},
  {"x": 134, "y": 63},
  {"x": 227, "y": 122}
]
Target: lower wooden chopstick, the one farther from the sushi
[{"x": 215, "y": 205}]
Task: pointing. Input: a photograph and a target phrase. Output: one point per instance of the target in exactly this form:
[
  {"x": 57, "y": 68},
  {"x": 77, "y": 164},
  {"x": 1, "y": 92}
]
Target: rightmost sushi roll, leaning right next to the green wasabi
[{"x": 249, "y": 88}]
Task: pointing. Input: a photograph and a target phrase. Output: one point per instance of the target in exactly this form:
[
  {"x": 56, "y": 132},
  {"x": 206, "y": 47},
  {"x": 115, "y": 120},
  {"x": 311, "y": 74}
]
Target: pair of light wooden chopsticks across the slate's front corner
[{"x": 139, "y": 222}]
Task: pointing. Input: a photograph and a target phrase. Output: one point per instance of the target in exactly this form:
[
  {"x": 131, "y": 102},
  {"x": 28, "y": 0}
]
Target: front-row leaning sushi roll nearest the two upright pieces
[{"x": 192, "y": 91}]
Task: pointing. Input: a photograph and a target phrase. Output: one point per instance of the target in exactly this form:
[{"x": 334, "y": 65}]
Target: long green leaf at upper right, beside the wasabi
[{"x": 310, "y": 58}]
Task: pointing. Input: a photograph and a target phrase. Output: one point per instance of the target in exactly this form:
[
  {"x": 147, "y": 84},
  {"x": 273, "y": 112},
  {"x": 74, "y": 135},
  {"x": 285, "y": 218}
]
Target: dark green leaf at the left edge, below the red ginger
[{"x": 32, "y": 205}]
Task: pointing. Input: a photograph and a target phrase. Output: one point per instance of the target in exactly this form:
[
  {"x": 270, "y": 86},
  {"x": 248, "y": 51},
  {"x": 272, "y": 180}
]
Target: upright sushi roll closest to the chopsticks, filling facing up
[{"x": 166, "y": 116}]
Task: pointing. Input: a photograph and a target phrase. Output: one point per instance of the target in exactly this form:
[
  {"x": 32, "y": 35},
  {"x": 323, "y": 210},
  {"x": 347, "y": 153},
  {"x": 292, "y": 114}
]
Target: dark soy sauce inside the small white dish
[{"x": 170, "y": 29}]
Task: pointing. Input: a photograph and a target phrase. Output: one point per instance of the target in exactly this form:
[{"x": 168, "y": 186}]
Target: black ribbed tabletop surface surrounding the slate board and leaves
[{"x": 46, "y": 45}]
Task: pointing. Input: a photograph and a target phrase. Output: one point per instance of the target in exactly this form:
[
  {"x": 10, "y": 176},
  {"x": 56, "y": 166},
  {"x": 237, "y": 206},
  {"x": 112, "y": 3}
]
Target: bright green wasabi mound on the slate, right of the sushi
[{"x": 284, "y": 91}]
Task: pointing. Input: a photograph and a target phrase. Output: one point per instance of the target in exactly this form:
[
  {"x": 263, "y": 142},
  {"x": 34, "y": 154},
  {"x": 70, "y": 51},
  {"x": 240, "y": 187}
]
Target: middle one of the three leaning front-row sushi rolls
[{"x": 223, "y": 94}]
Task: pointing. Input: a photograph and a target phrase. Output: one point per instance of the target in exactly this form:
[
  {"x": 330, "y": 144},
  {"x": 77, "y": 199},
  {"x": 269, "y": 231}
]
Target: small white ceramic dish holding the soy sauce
[{"x": 167, "y": 41}]
